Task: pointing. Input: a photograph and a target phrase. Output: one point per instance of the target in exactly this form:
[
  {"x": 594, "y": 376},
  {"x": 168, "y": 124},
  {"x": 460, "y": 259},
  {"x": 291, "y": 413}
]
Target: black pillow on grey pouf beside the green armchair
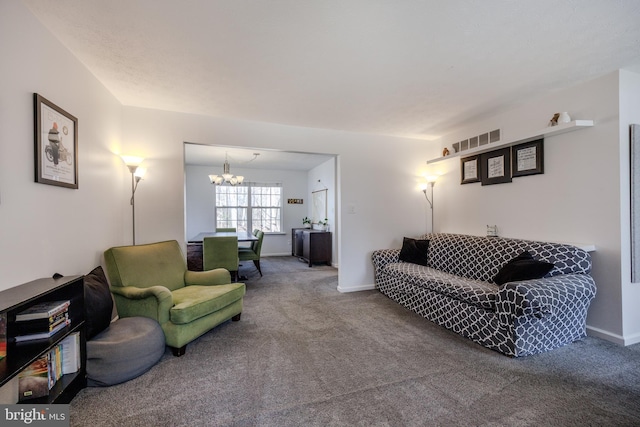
[{"x": 98, "y": 305}]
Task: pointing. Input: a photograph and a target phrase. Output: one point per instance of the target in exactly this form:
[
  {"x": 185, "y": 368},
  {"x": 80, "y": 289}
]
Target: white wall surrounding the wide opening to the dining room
[{"x": 378, "y": 176}]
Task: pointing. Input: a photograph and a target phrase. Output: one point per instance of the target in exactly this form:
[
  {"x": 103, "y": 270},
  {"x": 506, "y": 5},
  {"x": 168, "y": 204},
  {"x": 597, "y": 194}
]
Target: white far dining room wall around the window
[{"x": 200, "y": 202}]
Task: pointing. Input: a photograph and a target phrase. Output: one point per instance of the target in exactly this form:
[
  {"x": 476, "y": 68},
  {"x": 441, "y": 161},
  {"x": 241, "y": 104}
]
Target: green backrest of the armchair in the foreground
[{"x": 143, "y": 266}]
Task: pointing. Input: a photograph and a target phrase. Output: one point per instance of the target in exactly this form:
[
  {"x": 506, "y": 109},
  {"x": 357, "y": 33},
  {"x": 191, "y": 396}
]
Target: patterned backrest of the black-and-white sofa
[{"x": 481, "y": 258}]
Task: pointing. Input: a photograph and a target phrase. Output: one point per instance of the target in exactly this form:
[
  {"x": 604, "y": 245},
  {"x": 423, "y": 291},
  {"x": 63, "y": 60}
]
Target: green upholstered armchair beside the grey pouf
[{"x": 153, "y": 281}]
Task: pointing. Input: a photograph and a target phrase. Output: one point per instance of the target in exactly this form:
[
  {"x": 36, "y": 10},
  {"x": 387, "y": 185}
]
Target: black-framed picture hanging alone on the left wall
[{"x": 56, "y": 144}]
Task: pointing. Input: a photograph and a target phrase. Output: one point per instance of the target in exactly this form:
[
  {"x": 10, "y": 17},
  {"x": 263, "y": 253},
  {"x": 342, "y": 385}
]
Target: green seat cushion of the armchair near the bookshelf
[{"x": 193, "y": 302}]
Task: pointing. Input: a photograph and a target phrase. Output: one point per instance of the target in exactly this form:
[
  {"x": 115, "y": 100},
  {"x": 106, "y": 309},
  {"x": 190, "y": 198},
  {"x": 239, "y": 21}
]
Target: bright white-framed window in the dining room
[{"x": 249, "y": 207}]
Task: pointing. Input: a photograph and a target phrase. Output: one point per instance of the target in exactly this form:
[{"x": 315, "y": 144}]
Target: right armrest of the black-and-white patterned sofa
[{"x": 539, "y": 298}]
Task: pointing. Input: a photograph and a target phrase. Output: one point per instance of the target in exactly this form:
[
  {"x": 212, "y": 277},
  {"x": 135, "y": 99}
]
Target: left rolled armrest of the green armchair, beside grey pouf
[{"x": 153, "y": 302}]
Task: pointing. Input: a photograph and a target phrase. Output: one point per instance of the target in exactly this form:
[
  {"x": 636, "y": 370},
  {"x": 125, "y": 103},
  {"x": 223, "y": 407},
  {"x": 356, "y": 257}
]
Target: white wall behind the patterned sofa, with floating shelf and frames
[{"x": 577, "y": 199}]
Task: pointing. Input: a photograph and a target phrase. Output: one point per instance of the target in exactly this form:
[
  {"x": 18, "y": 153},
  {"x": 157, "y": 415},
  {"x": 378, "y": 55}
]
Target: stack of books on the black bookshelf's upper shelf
[{"x": 42, "y": 321}]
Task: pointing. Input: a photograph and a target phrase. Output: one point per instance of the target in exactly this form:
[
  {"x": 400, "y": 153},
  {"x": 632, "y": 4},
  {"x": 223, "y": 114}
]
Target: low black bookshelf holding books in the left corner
[{"x": 21, "y": 355}]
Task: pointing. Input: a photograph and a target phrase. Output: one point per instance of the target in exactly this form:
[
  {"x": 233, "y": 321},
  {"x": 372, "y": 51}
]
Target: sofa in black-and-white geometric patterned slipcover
[{"x": 456, "y": 290}]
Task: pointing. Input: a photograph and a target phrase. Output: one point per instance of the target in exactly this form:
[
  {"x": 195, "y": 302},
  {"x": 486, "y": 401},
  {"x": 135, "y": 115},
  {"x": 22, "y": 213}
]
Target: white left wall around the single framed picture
[{"x": 46, "y": 229}]
